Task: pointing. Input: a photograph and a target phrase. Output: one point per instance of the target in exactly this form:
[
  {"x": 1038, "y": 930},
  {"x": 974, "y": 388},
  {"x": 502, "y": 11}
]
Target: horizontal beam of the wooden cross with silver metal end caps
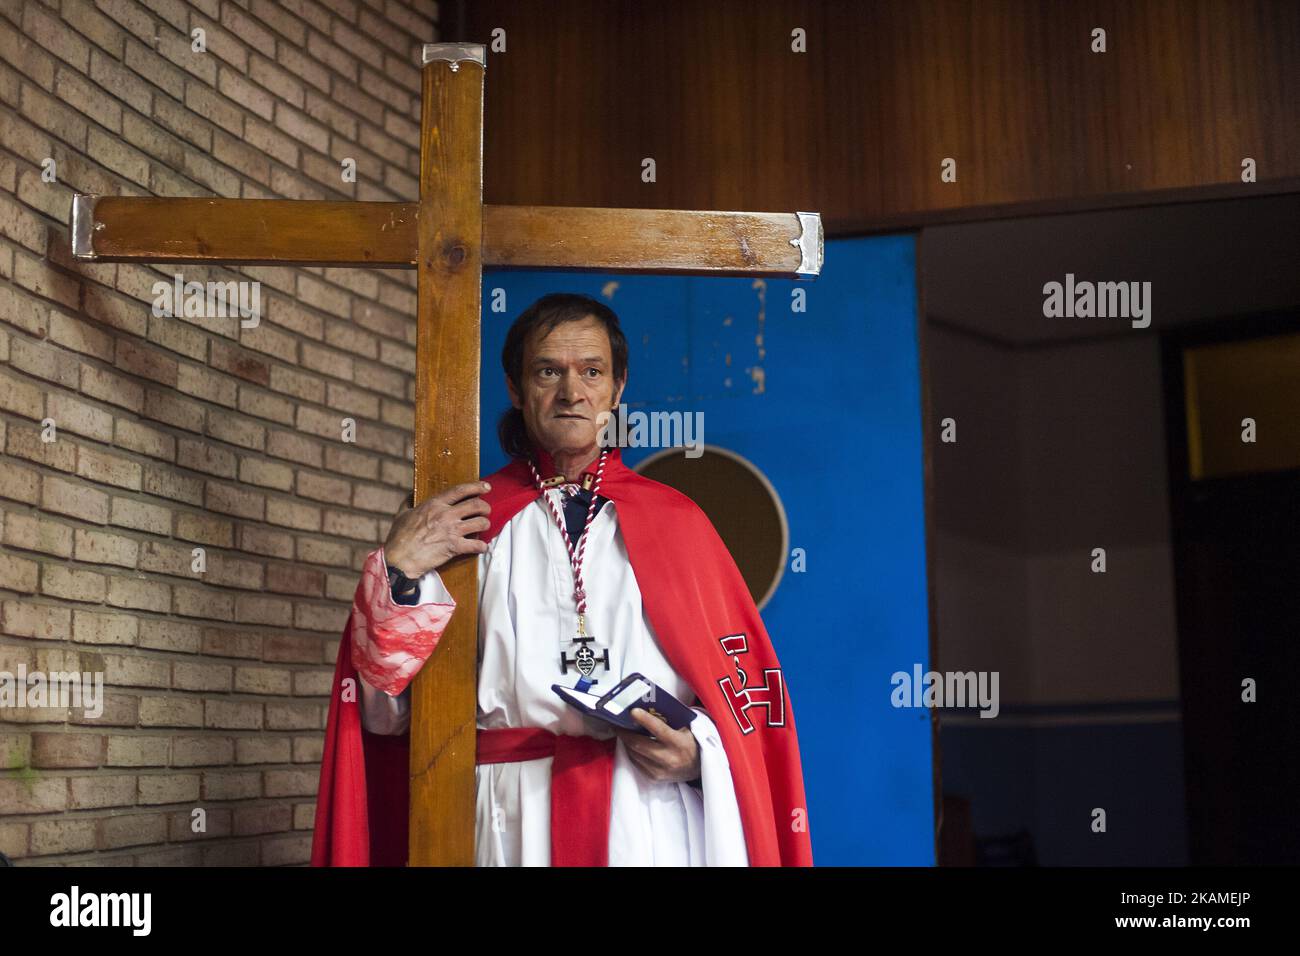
[{"x": 258, "y": 232}]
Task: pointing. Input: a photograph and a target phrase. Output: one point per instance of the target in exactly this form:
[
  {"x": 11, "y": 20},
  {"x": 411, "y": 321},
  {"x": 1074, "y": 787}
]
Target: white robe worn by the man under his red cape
[{"x": 527, "y": 616}]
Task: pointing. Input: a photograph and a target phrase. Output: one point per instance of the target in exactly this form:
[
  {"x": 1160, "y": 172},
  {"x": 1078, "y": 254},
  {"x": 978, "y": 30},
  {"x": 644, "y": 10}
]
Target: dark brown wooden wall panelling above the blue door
[{"x": 857, "y": 127}]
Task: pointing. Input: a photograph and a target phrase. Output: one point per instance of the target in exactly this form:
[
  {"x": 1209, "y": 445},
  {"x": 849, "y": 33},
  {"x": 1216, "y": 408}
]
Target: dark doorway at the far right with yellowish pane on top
[{"x": 1237, "y": 559}]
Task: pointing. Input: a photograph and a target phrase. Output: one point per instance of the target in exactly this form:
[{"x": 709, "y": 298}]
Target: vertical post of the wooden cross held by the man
[{"x": 447, "y": 440}]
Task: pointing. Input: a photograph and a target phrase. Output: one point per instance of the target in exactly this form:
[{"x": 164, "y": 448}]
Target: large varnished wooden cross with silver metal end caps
[{"x": 448, "y": 237}]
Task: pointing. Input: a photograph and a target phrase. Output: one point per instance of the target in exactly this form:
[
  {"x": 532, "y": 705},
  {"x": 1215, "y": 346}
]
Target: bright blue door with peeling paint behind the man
[{"x": 826, "y": 404}]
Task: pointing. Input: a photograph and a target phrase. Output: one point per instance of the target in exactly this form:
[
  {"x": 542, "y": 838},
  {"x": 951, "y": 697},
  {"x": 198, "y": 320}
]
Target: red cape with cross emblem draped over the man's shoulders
[{"x": 695, "y": 596}]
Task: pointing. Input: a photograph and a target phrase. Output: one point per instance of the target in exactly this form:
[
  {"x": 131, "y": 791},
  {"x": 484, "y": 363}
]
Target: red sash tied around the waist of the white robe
[{"x": 582, "y": 784}]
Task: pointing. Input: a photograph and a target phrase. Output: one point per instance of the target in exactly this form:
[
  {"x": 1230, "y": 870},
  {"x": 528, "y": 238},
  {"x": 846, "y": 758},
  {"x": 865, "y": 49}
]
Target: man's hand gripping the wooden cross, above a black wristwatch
[{"x": 427, "y": 538}]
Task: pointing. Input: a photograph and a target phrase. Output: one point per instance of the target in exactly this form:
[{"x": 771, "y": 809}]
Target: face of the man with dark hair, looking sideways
[{"x": 567, "y": 383}]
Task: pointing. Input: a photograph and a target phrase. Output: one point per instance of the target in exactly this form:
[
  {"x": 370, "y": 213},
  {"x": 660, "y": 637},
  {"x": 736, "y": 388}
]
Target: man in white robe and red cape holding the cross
[{"x": 588, "y": 573}]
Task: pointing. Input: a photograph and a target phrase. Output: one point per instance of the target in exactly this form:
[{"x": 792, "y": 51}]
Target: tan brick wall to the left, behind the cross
[{"x": 131, "y": 440}]
